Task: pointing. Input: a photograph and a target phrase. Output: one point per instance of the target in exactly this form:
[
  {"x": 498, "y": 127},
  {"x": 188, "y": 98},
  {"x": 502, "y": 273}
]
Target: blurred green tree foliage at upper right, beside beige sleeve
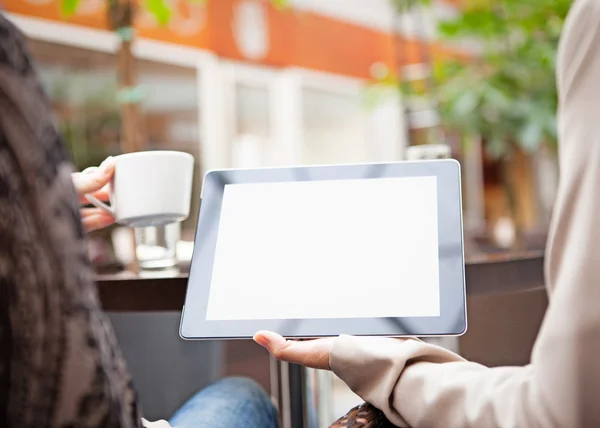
[{"x": 507, "y": 93}]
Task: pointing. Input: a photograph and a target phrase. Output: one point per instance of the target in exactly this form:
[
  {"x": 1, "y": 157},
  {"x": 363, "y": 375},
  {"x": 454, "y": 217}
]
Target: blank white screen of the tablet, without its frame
[{"x": 327, "y": 249}]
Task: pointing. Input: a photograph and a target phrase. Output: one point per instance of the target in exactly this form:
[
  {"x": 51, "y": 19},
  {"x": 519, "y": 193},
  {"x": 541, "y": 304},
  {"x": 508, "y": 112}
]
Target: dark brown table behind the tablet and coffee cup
[{"x": 485, "y": 275}]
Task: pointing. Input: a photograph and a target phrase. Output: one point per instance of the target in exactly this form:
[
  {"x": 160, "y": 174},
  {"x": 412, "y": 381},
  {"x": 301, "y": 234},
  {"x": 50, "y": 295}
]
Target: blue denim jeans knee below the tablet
[{"x": 228, "y": 403}]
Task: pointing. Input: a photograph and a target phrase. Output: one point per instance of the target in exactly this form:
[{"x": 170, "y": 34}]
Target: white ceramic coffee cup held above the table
[{"x": 150, "y": 188}]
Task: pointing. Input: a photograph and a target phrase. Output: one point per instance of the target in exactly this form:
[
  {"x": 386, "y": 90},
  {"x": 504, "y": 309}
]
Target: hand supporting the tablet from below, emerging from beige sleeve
[{"x": 310, "y": 353}]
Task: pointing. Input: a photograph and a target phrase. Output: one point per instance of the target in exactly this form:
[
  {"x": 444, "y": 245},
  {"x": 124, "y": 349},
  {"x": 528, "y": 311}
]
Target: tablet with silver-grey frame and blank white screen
[{"x": 369, "y": 249}]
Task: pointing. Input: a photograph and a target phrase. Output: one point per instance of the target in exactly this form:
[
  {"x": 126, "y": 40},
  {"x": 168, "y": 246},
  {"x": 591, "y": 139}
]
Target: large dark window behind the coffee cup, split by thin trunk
[{"x": 82, "y": 85}]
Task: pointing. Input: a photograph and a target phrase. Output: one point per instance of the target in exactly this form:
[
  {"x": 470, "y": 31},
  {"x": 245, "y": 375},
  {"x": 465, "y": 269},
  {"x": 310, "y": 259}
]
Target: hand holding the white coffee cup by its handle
[{"x": 94, "y": 181}]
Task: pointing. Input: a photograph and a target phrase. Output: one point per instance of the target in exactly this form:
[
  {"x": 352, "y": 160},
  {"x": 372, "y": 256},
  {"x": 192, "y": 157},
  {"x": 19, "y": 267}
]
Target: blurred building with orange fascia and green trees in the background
[{"x": 247, "y": 83}]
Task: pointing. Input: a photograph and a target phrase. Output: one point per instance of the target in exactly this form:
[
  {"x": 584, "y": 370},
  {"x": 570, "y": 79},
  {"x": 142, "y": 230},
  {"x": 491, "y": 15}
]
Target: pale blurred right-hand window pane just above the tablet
[{"x": 334, "y": 128}]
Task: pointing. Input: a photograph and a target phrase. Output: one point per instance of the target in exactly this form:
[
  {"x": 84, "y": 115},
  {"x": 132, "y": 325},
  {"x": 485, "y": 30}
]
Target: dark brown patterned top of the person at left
[{"x": 60, "y": 365}]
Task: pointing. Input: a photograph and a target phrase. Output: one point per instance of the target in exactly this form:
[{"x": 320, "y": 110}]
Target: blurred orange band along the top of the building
[{"x": 295, "y": 38}]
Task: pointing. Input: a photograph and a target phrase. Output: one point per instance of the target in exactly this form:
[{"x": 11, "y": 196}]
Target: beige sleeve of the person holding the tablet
[{"x": 420, "y": 385}]
